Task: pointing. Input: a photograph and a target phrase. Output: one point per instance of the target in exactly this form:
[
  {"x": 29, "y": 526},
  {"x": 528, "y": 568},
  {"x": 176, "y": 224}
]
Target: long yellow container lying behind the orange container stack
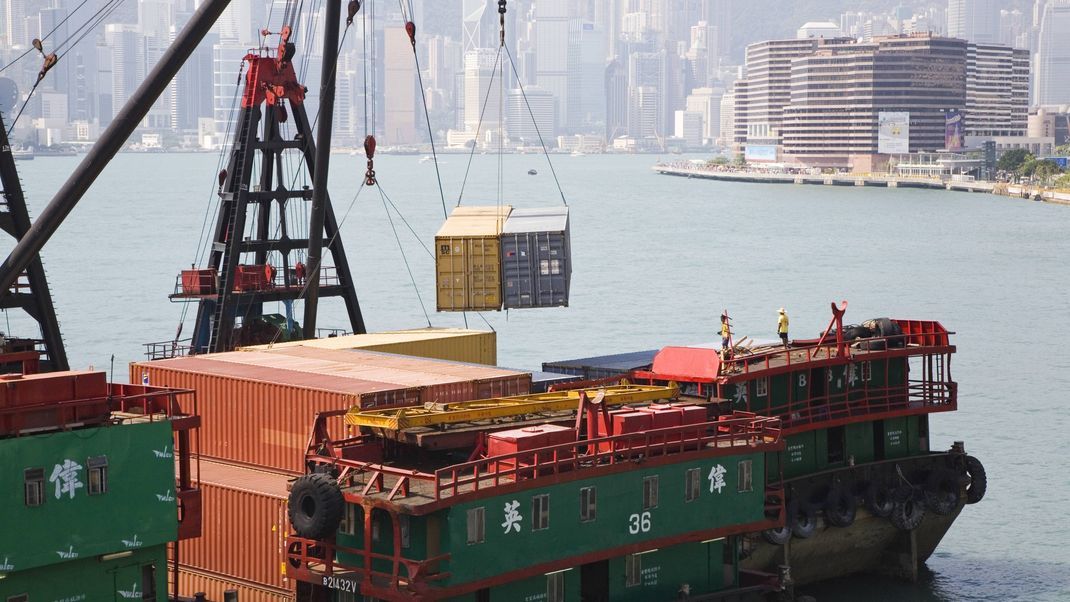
[{"x": 455, "y": 345}]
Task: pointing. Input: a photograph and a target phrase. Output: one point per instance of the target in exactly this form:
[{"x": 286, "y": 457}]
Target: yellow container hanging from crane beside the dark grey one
[{"x": 469, "y": 265}]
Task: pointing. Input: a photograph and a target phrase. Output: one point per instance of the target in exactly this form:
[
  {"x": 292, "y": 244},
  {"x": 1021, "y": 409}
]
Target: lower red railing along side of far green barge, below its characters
[{"x": 915, "y": 397}]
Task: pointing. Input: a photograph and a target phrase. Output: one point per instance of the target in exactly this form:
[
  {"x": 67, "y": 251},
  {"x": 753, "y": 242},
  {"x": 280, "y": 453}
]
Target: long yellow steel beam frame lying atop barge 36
[{"x": 435, "y": 414}]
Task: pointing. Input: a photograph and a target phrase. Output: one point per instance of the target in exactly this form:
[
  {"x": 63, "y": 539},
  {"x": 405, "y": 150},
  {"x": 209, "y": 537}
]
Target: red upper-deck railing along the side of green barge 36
[{"x": 730, "y": 434}]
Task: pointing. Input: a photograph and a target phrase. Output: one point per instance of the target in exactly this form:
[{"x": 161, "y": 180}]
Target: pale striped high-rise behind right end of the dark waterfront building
[{"x": 998, "y": 91}]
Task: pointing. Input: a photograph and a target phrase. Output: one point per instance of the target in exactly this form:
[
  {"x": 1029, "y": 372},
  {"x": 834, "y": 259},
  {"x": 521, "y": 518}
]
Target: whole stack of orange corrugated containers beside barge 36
[{"x": 257, "y": 410}]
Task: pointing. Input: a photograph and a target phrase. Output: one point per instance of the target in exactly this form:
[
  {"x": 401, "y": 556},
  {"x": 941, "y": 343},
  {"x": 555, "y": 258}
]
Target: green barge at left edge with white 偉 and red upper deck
[{"x": 97, "y": 486}]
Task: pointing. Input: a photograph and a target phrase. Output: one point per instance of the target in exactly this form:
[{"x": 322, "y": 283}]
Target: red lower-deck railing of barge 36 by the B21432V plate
[{"x": 311, "y": 560}]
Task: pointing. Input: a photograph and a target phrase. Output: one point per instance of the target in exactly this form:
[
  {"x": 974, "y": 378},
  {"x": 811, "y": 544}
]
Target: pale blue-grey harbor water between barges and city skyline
[{"x": 655, "y": 261}]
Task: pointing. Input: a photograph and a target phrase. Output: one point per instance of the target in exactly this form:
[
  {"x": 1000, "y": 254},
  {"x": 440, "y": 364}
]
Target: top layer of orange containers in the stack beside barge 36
[{"x": 258, "y": 408}]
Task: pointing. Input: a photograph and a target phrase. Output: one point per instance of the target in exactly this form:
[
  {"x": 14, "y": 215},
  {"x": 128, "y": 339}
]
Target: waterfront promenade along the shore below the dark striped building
[{"x": 881, "y": 180}]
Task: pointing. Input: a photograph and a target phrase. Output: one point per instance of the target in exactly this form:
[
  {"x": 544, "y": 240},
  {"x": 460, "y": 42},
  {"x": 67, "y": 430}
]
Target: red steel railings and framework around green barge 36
[{"x": 313, "y": 561}]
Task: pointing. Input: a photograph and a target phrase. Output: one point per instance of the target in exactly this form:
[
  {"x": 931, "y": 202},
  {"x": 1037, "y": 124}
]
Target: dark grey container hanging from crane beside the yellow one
[{"x": 537, "y": 258}]
